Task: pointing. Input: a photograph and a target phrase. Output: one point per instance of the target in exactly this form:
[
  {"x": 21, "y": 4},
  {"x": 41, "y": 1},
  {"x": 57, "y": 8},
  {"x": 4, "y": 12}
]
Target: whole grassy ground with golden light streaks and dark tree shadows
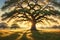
[{"x": 29, "y": 35}]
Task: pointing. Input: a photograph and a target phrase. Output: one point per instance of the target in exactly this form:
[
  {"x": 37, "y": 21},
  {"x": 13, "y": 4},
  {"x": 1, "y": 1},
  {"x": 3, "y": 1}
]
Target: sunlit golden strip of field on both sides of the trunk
[{"x": 43, "y": 30}]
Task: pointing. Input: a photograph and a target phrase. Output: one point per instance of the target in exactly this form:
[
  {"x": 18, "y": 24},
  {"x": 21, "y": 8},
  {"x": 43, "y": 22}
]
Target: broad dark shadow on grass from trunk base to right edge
[{"x": 36, "y": 35}]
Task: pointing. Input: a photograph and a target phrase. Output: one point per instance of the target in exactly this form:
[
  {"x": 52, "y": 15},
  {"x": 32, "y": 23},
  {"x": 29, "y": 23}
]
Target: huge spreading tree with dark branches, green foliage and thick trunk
[{"x": 31, "y": 11}]
